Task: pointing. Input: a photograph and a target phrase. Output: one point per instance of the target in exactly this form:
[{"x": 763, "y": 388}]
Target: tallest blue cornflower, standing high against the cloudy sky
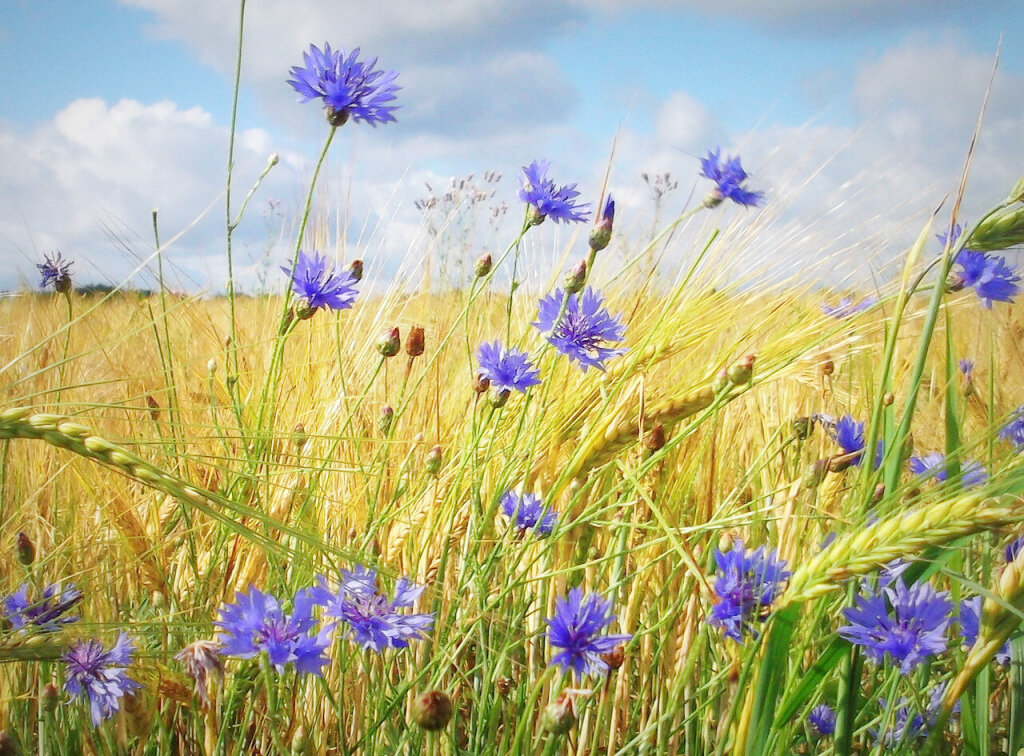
[{"x": 350, "y": 88}]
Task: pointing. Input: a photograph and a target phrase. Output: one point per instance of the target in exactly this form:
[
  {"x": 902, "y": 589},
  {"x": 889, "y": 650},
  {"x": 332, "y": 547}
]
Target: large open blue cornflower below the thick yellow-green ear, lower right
[{"x": 909, "y": 624}]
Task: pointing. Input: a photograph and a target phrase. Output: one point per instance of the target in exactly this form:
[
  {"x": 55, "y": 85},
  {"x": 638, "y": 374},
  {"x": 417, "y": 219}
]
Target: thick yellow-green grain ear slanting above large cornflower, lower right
[{"x": 902, "y": 535}]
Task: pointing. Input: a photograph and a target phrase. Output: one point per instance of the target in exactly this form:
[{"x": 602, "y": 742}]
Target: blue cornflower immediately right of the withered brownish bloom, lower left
[{"x": 257, "y": 623}]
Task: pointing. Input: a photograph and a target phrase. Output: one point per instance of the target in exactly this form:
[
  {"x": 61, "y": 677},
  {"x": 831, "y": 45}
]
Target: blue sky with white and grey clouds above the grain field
[{"x": 854, "y": 117}]
